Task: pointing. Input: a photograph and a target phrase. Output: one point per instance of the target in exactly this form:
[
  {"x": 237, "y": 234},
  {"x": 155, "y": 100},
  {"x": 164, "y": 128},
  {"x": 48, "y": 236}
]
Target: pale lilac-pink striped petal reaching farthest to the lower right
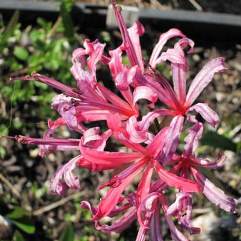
[{"x": 213, "y": 193}]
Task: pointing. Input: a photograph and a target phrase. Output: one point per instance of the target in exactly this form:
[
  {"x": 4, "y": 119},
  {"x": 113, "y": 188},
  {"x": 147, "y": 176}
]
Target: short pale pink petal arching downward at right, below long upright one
[{"x": 207, "y": 113}]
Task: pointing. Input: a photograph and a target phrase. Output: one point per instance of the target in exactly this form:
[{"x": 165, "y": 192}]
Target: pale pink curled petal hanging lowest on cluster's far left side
[{"x": 65, "y": 178}]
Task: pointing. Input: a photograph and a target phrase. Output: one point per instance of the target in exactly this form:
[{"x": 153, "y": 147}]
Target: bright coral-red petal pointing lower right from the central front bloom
[{"x": 175, "y": 181}]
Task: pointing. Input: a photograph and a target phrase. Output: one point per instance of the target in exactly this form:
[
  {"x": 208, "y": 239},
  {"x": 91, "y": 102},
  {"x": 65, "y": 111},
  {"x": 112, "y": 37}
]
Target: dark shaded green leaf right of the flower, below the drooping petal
[{"x": 216, "y": 140}]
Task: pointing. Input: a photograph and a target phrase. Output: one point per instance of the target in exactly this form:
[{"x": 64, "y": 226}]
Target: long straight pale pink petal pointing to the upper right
[{"x": 203, "y": 78}]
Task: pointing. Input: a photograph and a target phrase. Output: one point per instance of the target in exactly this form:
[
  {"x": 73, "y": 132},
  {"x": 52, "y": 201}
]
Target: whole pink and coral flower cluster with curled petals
[{"x": 153, "y": 158}]
